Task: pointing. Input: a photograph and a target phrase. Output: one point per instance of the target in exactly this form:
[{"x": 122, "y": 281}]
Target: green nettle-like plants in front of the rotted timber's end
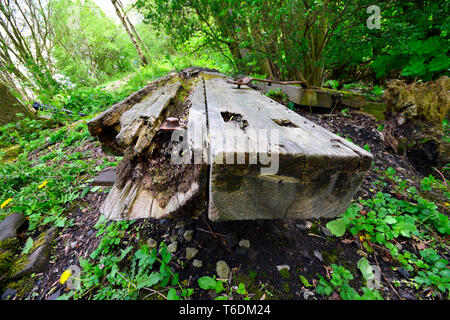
[{"x": 130, "y": 274}]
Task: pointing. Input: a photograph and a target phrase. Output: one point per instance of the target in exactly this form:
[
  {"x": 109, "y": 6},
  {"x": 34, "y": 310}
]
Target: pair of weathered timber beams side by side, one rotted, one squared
[{"x": 236, "y": 153}]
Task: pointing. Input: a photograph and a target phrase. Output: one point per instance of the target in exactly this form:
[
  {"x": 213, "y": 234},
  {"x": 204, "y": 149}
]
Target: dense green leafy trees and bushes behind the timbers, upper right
[{"x": 305, "y": 40}]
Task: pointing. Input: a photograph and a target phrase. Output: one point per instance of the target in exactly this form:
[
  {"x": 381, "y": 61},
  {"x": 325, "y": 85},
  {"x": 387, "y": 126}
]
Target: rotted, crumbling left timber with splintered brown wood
[{"x": 148, "y": 184}]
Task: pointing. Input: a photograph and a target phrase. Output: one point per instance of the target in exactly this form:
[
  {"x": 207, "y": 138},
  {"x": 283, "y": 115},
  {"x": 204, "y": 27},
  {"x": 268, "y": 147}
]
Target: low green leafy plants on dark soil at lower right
[{"x": 384, "y": 219}]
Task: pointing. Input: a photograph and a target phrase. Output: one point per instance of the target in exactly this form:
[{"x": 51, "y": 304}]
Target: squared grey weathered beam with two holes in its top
[{"x": 317, "y": 172}]
